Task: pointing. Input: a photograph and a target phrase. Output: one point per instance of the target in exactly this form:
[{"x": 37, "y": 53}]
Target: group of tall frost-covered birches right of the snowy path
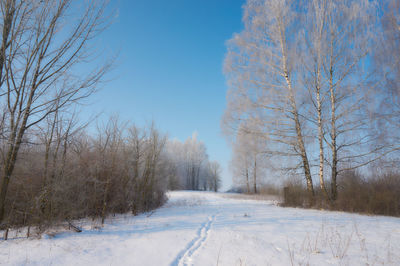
[{"x": 314, "y": 94}]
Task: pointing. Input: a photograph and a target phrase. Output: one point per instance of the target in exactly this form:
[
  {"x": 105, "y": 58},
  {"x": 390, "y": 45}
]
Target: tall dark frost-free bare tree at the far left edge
[{"x": 44, "y": 43}]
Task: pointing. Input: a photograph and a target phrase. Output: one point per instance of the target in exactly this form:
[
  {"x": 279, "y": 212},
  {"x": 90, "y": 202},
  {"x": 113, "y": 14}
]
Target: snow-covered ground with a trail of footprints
[{"x": 200, "y": 228}]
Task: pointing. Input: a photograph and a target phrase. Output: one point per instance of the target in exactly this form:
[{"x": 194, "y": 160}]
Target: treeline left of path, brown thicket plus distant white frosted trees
[{"x": 64, "y": 172}]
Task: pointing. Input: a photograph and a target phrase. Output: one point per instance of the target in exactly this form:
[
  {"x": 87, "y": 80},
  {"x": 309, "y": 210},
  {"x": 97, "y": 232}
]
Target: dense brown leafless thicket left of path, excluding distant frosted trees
[{"x": 114, "y": 172}]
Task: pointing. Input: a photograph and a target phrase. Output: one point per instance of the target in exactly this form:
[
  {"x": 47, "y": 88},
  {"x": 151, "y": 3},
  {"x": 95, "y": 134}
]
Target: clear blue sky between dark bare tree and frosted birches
[{"x": 169, "y": 68}]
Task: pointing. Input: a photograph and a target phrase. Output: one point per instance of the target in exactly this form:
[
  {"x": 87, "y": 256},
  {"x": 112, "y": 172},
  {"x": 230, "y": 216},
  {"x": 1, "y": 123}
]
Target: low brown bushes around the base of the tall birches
[{"x": 378, "y": 195}]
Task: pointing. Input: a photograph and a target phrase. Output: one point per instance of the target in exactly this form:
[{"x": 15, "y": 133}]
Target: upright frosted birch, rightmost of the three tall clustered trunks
[{"x": 343, "y": 48}]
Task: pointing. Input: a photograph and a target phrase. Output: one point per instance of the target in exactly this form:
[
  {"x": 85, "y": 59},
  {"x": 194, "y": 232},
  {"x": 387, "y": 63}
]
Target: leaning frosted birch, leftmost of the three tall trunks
[{"x": 262, "y": 71}]
